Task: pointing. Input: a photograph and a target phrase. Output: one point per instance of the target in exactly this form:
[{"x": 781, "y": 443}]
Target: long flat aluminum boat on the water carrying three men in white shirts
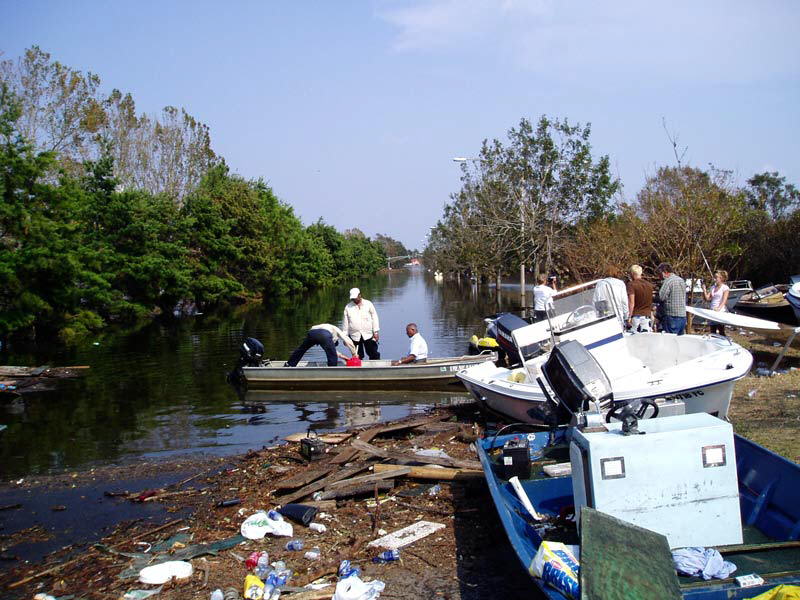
[{"x": 433, "y": 373}]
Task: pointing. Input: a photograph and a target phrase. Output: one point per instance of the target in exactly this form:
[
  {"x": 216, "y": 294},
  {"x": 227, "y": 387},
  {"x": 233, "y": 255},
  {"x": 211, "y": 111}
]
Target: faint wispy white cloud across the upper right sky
[{"x": 725, "y": 41}]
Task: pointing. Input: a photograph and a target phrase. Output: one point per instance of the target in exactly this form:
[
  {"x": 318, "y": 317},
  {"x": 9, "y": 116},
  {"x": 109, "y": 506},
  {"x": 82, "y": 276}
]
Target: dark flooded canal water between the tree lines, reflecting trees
[{"x": 161, "y": 390}]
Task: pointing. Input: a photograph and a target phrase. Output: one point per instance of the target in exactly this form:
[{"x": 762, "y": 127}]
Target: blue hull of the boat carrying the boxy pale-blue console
[{"x": 769, "y": 494}]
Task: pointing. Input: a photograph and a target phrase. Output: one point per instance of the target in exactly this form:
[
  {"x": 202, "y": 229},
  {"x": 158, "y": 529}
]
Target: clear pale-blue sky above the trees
[{"x": 352, "y": 110}]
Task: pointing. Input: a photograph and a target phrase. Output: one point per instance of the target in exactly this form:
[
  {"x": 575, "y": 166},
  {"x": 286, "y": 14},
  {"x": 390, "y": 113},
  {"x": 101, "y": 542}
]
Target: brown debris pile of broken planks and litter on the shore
[{"x": 413, "y": 485}]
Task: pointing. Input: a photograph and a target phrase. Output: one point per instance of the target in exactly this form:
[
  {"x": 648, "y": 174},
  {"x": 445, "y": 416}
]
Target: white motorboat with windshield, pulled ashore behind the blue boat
[{"x": 688, "y": 373}]
